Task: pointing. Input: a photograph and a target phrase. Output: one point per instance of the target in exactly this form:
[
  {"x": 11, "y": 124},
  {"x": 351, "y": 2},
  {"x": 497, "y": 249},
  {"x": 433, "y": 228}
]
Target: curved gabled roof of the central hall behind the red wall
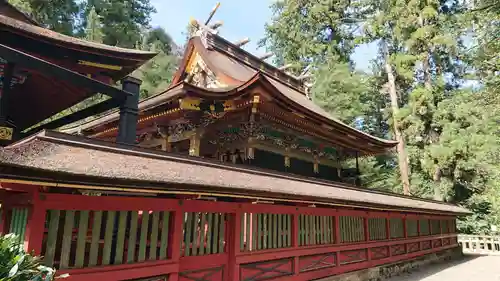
[{"x": 237, "y": 70}]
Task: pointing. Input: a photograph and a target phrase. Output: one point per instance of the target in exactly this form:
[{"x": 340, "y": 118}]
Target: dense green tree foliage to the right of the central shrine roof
[{"x": 450, "y": 131}]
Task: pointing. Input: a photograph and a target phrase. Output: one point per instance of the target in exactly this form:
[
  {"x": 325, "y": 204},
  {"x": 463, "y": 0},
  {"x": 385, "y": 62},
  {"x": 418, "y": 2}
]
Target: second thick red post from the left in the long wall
[{"x": 175, "y": 237}]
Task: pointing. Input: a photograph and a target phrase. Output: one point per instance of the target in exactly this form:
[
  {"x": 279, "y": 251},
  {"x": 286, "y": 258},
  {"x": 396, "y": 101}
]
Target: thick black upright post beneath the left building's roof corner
[{"x": 129, "y": 109}]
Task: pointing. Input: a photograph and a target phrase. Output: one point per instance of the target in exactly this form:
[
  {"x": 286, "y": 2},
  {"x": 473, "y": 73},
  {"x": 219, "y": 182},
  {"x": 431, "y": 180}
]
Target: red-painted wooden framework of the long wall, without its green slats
[{"x": 287, "y": 263}]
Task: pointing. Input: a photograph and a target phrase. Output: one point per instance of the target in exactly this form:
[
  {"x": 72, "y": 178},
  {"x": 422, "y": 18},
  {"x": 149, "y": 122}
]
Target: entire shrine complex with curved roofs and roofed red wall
[{"x": 231, "y": 173}]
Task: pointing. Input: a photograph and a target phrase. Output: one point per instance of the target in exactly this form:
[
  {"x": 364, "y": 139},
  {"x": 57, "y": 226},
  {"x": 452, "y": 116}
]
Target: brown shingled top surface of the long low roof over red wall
[{"x": 58, "y": 152}]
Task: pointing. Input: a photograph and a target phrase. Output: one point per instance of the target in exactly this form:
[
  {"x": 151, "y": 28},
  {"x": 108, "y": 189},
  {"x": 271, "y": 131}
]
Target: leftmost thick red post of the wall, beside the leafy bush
[{"x": 35, "y": 225}]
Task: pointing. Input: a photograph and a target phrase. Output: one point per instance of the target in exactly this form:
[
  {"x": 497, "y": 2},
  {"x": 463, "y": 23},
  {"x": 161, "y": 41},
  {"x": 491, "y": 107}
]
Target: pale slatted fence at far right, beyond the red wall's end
[{"x": 479, "y": 244}]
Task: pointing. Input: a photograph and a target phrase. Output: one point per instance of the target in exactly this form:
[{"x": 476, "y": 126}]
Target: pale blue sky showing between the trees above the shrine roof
[{"x": 241, "y": 19}]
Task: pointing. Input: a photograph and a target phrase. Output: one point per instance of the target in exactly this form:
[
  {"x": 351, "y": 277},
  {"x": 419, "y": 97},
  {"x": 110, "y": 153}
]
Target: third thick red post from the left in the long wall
[{"x": 234, "y": 245}]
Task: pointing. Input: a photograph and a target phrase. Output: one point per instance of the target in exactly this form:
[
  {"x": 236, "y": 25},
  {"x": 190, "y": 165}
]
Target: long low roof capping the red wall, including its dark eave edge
[{"x": 67, "y": 159}]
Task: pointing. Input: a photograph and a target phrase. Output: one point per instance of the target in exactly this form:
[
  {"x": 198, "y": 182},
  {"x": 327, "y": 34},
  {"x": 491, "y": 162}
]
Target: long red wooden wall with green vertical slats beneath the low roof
[{"x": 131, "y": 238}]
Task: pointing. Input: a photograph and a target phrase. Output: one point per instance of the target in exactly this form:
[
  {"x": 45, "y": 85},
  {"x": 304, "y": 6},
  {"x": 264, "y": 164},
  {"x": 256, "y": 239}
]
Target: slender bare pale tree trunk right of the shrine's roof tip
[{"x": 402, "y": 157}]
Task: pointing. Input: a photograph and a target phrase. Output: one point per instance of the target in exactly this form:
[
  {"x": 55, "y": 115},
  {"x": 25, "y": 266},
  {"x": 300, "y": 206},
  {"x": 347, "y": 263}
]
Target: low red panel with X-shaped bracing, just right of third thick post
[{"x": 266, "y": 270}]
